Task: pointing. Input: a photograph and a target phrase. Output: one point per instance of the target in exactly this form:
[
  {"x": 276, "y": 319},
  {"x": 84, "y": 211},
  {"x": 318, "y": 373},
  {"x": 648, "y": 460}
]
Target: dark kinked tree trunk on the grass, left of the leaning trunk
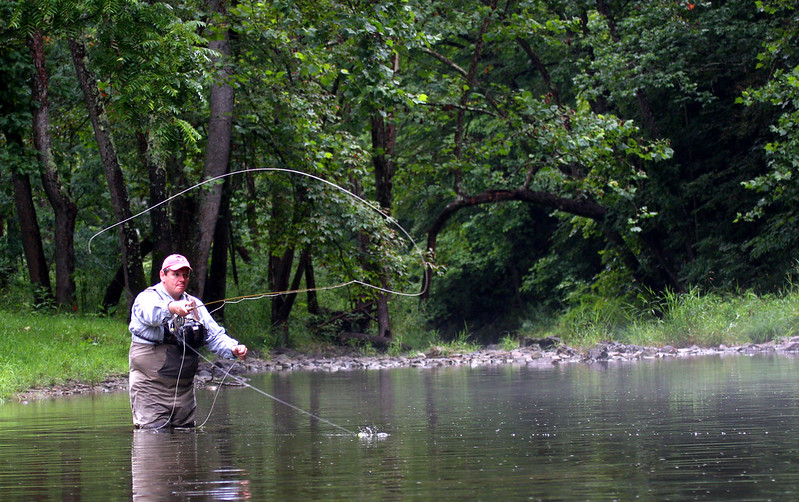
[{"x": 64, "y": 208}]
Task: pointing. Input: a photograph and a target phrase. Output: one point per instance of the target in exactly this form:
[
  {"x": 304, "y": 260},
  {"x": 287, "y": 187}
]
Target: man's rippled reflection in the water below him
[{"x": 168, "y": 465}]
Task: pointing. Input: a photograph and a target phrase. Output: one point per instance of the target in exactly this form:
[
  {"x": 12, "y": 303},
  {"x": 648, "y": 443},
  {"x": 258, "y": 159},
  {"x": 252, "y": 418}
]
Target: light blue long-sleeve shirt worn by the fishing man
[{"x": 151, "y": 309}]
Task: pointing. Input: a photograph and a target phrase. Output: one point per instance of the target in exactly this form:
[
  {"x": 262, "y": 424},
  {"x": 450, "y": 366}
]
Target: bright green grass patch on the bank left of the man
[{"x": 38, "y": 350}]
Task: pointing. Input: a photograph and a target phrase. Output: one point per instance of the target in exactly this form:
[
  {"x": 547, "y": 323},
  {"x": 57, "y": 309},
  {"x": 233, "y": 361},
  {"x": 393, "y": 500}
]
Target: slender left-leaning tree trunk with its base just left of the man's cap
[{"x": 129, "y": 242}]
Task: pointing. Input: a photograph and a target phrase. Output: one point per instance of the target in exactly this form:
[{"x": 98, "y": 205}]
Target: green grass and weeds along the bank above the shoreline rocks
[{"x": 39, "y": 350}]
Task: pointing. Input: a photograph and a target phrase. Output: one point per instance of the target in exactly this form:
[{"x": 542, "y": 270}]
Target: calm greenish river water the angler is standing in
[{"x": 709, "y": 428}]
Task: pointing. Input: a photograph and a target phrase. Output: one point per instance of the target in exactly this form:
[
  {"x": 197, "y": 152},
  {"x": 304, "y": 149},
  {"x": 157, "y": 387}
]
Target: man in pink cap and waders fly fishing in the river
[{"x": 167, "y": 327}]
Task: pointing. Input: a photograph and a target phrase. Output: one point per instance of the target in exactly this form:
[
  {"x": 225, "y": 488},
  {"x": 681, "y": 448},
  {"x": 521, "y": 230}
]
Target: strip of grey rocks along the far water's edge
[{"x": 544, "y": 352}]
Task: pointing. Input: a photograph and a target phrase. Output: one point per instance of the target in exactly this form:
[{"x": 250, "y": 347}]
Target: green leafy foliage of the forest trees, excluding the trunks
[{"x": 628, "y": 106}]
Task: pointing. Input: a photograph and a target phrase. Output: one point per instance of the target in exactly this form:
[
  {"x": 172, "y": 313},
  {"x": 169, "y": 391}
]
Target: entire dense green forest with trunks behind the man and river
[{"x": 560, "y": 166}]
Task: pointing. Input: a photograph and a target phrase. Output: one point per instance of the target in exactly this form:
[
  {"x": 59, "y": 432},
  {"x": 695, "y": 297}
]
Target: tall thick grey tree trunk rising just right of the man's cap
[{"x": 217, "y": 154}]
